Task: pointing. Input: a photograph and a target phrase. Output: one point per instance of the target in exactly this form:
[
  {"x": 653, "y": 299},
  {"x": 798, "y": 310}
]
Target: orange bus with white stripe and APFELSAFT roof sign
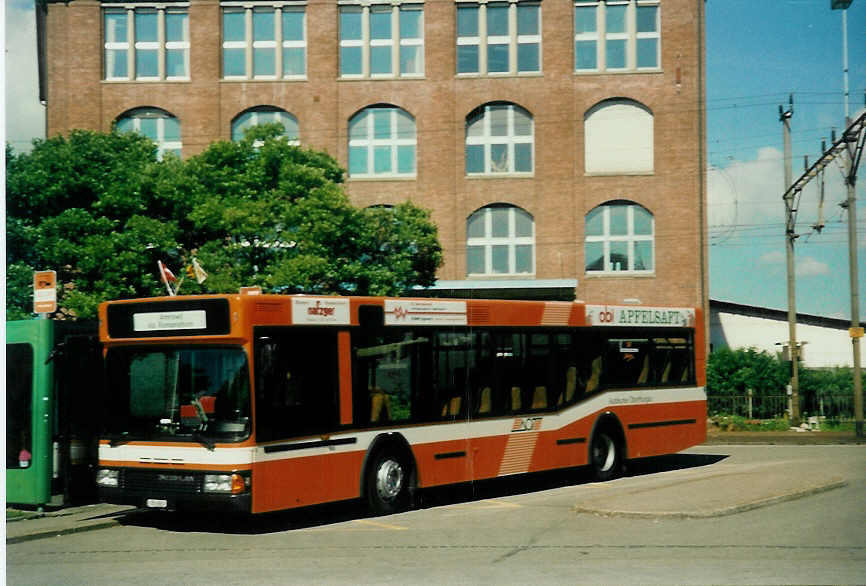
[{"x": 256, "y": 403}]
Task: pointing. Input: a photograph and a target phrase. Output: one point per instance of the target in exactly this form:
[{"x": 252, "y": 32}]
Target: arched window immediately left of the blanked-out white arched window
[{"x": 499, "y": 139}]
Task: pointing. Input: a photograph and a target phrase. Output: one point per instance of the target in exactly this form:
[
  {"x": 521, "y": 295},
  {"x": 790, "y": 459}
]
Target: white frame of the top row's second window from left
[{"x": 249, "y": 44}]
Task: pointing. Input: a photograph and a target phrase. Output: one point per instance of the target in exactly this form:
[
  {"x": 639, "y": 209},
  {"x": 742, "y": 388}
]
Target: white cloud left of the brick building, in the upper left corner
[{"x": 25, "y": 116}]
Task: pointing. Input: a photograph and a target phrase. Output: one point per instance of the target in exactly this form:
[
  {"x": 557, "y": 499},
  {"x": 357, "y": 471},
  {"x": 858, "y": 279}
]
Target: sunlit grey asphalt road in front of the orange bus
[{"x": 554, "y": 529}]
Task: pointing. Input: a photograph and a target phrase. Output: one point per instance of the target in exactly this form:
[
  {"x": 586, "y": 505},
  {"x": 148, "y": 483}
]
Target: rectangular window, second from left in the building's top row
[{"x": 264, "y": 41}]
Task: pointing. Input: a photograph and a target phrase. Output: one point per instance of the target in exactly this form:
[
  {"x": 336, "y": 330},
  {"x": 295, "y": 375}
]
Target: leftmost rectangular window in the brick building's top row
[{"x": 146, "y": 43}]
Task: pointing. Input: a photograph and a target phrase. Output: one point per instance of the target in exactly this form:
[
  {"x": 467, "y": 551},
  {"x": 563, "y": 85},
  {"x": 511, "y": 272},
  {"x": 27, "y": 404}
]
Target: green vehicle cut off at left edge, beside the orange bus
[{"x": 53, "y": 407}]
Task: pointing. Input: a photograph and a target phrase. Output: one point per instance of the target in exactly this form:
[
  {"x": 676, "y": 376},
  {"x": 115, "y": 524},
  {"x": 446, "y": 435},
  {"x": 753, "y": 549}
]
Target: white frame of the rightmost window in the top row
[{"x": 630, "y": 36}]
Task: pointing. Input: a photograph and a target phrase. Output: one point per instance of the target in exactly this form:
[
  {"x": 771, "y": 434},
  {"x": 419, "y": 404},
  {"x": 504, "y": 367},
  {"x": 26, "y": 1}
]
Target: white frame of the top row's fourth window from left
[{"x": 513, "y": 40}]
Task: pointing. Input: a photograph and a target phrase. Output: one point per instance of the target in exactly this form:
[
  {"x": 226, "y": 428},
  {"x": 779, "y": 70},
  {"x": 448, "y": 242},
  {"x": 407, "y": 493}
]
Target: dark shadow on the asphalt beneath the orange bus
[{"x": 342, "y": 512}]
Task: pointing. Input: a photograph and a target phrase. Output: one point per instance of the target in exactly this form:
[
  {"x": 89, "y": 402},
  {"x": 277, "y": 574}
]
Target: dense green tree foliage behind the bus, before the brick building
[{"x": 100, "y": 209}]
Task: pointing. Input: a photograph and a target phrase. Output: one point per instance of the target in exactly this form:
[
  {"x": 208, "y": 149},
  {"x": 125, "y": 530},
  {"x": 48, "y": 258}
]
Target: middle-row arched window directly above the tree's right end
[{"x": 382, "y": 143}]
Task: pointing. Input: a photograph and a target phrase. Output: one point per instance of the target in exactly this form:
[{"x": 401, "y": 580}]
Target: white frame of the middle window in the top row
[{"x": 395, "y": 42}]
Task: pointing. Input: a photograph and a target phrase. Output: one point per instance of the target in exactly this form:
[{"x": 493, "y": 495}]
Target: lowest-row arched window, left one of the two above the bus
[{"x": 500, "y": 240}]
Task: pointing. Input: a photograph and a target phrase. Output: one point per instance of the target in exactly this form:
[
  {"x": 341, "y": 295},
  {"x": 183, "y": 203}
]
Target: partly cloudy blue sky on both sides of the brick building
[{"x": 758, "y": 53}]
